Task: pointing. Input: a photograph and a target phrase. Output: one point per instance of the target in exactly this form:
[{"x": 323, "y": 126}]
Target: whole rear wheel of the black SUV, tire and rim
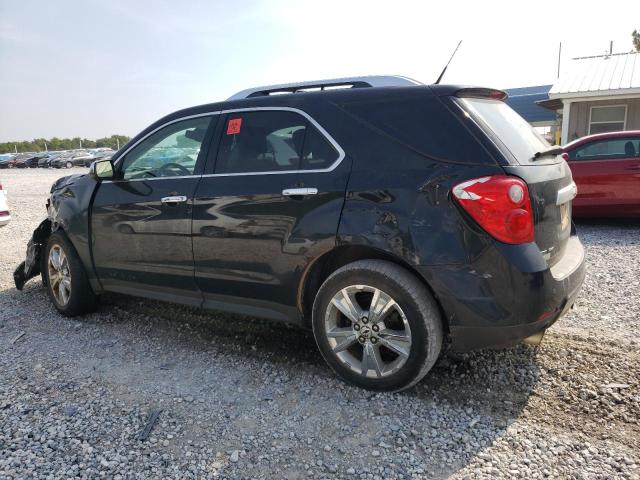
[{"x": 413, "y": 314}]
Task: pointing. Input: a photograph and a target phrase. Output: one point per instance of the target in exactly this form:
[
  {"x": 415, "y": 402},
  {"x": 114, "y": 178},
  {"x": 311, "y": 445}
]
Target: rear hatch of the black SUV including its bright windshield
[{"x": 527, "y": 155}]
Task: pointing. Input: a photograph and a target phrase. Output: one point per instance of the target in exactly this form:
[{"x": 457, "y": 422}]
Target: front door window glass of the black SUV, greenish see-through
[{"x": 171, "y": 151}]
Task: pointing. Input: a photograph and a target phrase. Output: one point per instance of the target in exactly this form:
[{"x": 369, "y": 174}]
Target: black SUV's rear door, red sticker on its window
[{"x": 269, "y": 205}]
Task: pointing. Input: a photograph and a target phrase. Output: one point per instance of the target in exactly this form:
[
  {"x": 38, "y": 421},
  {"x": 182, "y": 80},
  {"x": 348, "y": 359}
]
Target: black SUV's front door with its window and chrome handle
[{"x": 141, "y": 222}]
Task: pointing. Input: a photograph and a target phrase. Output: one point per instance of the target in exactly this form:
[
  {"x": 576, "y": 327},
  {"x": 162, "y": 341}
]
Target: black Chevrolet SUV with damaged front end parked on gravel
[{"x": 393, "y": 218}]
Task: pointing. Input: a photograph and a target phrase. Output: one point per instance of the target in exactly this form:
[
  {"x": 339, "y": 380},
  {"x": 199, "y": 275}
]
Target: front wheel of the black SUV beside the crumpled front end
[{"x": 80, "y": 298}]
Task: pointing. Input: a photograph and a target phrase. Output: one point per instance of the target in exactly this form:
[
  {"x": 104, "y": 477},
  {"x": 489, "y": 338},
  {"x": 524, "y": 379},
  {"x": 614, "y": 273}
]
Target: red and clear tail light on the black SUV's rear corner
[{"x": 501, "y": 206}]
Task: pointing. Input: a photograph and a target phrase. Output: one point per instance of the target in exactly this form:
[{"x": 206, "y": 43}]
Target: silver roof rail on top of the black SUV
[{"x": 315, "y": 85}]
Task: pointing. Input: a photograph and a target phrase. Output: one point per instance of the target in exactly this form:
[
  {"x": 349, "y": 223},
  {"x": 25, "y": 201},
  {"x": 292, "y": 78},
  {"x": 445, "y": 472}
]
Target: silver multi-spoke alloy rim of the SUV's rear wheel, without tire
[{"x": 367, "y": 331}]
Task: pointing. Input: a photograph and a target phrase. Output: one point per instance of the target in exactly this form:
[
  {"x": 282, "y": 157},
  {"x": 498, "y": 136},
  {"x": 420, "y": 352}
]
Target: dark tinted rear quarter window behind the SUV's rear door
[{"x": 423, "y": 124}]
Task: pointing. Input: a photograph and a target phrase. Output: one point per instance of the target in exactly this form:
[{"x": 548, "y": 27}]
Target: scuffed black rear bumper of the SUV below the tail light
[{"x": 507, "y": 294}]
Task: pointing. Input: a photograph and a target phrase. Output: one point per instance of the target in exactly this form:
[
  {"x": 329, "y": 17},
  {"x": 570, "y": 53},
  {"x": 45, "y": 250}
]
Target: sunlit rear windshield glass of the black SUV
[{"x": 510, "y": 128}]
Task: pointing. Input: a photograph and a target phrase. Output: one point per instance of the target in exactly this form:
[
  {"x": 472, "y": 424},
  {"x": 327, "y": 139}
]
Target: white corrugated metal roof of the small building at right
[{"x": 613, "y": 74}]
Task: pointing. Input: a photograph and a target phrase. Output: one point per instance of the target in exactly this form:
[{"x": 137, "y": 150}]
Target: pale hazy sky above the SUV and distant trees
[{"x": 93, "y": 68}]
